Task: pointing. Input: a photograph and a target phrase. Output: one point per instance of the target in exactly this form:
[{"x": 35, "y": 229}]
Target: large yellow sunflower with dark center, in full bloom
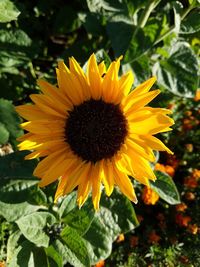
[{"x": 91, "y": 132}]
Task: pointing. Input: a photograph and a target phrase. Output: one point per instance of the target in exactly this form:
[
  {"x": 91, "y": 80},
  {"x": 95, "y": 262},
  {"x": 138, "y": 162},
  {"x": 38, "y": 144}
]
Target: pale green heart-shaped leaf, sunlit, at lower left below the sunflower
[{"x": 33, "y": 227}]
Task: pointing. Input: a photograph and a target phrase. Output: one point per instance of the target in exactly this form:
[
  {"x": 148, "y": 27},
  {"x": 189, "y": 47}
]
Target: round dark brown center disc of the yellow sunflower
[{"x": 95, "y": 130}]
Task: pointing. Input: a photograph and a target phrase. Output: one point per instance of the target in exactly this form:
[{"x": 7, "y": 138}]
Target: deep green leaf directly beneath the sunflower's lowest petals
[{"x": 80, "y": 219}]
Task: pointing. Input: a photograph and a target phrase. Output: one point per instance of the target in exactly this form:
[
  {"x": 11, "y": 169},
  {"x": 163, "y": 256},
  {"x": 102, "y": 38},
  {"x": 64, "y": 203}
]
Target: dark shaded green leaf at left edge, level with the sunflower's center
[{"x": 10, "y": 119}]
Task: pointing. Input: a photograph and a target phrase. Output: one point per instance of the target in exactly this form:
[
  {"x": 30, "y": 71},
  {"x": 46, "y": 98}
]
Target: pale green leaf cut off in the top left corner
[{"x": 8, "y": 11}]
